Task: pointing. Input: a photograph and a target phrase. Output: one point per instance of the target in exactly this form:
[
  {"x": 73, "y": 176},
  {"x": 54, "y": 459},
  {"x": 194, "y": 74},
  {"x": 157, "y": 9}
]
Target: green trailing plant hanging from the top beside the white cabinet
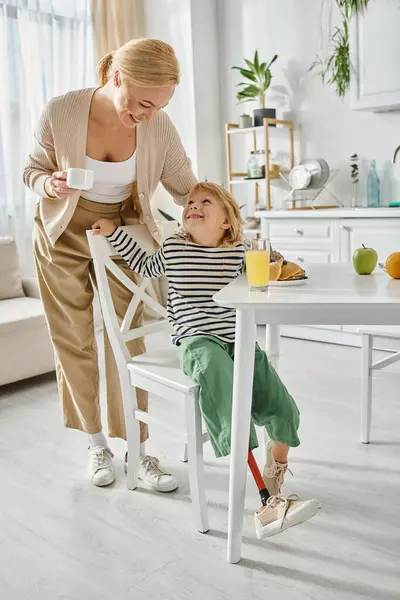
[{"x": 335, "y": 69}]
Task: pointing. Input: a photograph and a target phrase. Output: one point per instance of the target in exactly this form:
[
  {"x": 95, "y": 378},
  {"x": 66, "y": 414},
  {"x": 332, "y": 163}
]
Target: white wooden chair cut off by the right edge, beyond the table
[{"x": 373, "y": 337}]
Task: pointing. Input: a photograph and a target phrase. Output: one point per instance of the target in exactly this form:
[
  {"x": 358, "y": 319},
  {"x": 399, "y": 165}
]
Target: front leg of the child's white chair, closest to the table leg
[{"x": 196, "y": 465}]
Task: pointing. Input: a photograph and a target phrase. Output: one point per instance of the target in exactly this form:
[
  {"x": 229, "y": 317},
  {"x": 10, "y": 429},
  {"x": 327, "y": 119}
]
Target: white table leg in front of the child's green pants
[{"x": 241, "y": 413}]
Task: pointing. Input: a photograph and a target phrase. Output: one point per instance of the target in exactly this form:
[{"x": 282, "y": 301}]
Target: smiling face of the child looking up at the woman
[{"x": 205, "y": 219}]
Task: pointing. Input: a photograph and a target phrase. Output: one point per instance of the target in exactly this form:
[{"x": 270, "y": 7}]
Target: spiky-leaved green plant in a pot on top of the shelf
[{"x": 258, "y": 79}]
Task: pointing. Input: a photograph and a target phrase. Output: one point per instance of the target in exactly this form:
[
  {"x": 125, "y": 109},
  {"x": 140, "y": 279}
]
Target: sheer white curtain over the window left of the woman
[{"x": 46, "y": 49}]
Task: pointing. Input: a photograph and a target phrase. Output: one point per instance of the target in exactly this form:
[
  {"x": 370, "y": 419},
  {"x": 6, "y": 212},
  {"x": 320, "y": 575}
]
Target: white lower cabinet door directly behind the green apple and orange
[{"x": 381, "y": 234}]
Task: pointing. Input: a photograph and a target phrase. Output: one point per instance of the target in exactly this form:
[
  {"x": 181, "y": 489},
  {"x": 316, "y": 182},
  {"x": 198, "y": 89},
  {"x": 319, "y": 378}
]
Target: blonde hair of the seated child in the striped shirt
[{"x": 234, "y": 234}]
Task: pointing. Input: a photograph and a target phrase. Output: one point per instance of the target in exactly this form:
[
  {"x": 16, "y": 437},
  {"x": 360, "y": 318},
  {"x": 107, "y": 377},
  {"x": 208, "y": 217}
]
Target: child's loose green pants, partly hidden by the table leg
[{"x": 209, "y": 363}]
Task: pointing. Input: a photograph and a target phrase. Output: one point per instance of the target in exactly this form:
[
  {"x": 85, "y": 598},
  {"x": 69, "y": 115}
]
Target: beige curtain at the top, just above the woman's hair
[{"x": 116, "y": 22}]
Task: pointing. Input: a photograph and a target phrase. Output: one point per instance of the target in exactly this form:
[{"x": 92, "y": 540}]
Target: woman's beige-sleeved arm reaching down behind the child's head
[{"x": 177, "y": 176}]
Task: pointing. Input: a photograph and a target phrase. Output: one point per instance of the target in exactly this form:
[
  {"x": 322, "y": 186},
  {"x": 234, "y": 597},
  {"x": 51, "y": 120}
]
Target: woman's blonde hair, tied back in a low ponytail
[{"x": 143, "y": 62}]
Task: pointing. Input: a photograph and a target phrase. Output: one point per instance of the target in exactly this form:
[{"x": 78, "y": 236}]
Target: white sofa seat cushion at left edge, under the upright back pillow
[{"x": 19, "y": 314}]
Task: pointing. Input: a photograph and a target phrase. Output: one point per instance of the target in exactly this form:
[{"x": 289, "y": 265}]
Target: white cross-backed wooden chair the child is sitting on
[{"x": 157, "y": 372}]
